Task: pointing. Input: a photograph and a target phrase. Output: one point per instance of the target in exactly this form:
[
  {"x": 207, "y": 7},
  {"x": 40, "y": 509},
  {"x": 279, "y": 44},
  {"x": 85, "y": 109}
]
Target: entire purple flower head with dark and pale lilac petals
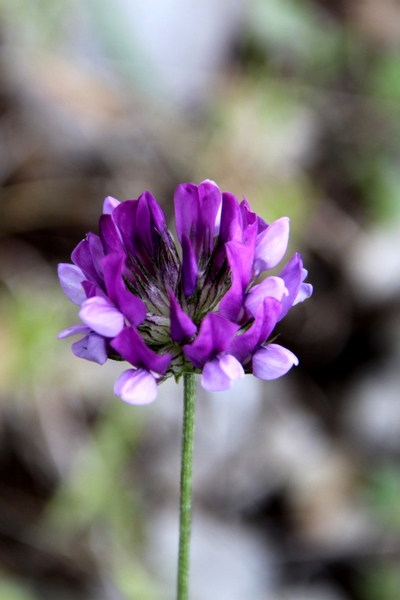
[{"x": 200, "y": 309}]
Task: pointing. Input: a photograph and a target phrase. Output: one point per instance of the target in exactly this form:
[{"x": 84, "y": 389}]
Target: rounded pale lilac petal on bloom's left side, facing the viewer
[{"x": 102, "y": 316}]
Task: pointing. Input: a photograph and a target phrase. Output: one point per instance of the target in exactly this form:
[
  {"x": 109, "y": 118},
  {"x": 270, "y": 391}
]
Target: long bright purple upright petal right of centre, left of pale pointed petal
[{"x": 240, "y": 259}]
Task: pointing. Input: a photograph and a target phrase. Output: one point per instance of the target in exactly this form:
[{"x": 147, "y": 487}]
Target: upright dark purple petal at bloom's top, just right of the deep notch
[{"x": 186, "y": 202}]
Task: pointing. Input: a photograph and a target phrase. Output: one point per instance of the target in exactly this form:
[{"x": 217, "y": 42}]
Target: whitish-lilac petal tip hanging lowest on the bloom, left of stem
[{"x": 136, "y": 387}]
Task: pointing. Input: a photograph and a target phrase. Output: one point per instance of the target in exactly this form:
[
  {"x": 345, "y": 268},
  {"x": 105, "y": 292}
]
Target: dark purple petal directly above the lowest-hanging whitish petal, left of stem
[{"x": 132, "y": 348}]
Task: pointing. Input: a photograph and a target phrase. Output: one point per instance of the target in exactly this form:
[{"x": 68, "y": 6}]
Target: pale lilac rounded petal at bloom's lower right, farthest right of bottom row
[{"x": 273, "y": 361}]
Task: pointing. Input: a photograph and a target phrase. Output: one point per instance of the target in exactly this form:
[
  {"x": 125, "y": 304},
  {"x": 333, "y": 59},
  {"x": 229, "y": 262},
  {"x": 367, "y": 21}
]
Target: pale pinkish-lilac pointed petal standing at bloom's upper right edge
[{"x": 271, "y": 245}]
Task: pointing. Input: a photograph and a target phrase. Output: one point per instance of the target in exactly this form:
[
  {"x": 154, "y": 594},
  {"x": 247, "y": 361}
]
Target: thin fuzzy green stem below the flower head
[{"x": 186, "y": 485}]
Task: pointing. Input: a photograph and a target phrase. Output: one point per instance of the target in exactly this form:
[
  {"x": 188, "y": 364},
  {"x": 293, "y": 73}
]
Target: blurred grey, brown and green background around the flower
[{"x": 296, "y": 105}]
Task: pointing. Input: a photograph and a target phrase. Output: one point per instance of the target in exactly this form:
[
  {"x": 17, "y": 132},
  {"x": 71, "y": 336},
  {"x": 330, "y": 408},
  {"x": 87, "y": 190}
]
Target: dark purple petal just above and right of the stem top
[{"x": 214, "y": 336}]
